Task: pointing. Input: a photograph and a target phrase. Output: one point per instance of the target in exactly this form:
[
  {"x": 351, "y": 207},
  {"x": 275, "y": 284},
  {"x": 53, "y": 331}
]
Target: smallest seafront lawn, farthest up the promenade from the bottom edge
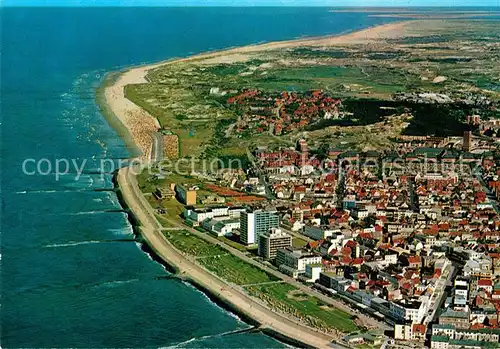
[{"x": 191, "y": 244}]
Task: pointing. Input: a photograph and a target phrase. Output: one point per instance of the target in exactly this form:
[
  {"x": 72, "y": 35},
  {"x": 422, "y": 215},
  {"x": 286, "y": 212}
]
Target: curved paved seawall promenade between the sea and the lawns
[{"x": 223, "y": 294}]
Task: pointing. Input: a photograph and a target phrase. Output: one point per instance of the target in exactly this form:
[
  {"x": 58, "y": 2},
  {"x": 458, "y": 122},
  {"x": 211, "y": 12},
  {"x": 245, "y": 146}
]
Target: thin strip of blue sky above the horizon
[{"x": 331, "y": 3}]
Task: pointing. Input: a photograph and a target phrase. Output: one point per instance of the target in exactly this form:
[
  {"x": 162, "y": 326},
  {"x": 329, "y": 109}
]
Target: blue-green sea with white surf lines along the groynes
[{"x": 72, "y": 274}]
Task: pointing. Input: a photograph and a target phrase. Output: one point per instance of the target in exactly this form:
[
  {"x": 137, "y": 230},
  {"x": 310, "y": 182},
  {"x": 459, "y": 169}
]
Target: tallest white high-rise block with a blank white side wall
[{"x": 255, "y": 223}]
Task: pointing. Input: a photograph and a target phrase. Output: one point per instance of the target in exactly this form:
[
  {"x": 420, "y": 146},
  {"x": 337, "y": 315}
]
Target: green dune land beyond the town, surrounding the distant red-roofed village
[{"x": 189, "y": 97}]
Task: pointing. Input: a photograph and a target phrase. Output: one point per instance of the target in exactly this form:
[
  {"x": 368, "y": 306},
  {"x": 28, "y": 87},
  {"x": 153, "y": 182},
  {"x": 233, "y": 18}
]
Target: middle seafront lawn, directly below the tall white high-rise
[{"x": 233, "y": 269}]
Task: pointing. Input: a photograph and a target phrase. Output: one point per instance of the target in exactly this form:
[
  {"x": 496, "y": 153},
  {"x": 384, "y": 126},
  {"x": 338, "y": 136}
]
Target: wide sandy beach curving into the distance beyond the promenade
[{"x": 135, "y": 125}]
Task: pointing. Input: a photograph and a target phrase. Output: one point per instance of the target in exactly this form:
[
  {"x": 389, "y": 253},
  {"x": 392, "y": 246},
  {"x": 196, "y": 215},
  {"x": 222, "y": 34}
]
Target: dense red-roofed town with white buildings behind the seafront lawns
[{"x": 408, "y": 238}]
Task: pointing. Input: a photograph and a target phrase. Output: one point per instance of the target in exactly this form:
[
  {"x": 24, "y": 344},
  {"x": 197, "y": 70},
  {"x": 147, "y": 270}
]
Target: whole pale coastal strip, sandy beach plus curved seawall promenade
[{"x": 136, "y": 126}]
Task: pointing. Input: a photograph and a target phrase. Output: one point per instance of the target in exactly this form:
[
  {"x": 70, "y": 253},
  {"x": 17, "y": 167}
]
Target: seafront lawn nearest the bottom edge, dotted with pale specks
[{"x": 288, "y": 299}]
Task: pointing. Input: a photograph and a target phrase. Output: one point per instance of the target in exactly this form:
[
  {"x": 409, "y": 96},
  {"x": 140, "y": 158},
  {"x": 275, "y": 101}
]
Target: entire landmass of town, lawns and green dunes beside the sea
[{"x": 354, "y": 197}]
